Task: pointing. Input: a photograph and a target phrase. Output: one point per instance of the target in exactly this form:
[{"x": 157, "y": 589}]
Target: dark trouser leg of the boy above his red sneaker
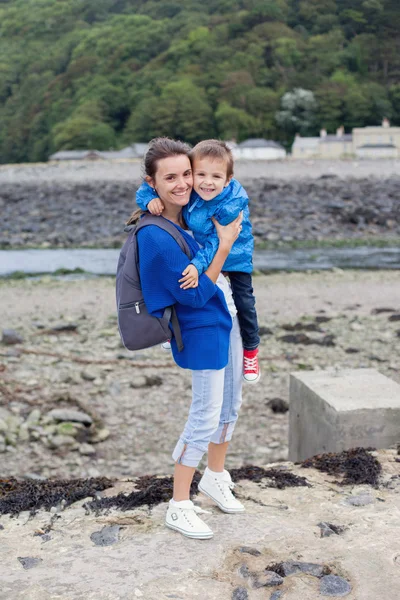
[{"x": 242, "y": 291}]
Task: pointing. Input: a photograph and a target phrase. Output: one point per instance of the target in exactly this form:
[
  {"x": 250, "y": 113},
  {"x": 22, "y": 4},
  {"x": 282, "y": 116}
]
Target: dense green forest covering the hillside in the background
[{"x": 105, "y": 73}]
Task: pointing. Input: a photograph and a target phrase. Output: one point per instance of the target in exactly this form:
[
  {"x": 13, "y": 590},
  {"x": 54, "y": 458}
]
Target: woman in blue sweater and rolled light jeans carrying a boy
[{"x": 211, "y": 336}]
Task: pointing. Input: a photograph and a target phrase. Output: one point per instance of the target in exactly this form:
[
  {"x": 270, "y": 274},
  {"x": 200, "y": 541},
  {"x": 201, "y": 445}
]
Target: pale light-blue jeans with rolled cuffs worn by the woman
[{"x": 217, "y": 396}]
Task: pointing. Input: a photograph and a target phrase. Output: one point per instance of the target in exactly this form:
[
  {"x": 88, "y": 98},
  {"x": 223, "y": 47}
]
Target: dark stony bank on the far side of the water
[{"x": 86, "y": 205}]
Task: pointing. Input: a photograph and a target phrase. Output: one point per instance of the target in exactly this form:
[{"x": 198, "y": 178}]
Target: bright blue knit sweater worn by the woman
[{"x": 202, "y": 312}]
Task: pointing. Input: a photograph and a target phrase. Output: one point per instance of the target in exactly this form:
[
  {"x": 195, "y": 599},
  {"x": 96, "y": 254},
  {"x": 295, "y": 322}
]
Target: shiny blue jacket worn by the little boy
[{"x": 224, "y": 208}]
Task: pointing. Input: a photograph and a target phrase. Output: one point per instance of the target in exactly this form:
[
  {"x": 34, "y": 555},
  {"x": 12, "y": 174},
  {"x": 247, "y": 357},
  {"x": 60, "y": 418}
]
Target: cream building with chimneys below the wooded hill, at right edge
[{"x": 365, "y": 142}]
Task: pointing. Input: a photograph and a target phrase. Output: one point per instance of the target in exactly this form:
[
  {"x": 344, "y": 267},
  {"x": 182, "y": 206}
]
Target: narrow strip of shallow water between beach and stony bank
[{"x": 104, "y": 262}]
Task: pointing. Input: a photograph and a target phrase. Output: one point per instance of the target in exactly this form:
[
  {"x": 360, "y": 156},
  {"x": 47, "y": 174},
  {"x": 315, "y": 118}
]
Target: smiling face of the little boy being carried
[{"x": 209, "y": 177}]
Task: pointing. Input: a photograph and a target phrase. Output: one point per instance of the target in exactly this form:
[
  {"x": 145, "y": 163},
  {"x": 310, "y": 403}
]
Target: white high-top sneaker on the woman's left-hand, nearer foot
[{"x": 182, "y": 516}]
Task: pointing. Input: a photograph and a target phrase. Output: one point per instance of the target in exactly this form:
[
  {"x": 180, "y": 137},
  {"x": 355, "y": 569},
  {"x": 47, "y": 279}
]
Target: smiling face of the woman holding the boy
[{"x": 173, "y": 180}]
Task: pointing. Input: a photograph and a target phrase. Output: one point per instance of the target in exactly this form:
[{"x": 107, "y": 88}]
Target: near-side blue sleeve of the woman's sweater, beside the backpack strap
[{"x": 161, "y": 264}]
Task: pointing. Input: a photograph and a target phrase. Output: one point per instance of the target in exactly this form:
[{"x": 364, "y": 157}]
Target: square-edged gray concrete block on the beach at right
[{"x": 335, "y": 410}]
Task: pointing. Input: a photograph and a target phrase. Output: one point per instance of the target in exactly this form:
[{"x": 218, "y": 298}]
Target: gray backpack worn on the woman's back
[{"x": 137, "y": 328}]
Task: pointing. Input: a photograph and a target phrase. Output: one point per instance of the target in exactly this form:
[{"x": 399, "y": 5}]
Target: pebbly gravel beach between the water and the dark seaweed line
[{"x": 144, "y": 421}]
